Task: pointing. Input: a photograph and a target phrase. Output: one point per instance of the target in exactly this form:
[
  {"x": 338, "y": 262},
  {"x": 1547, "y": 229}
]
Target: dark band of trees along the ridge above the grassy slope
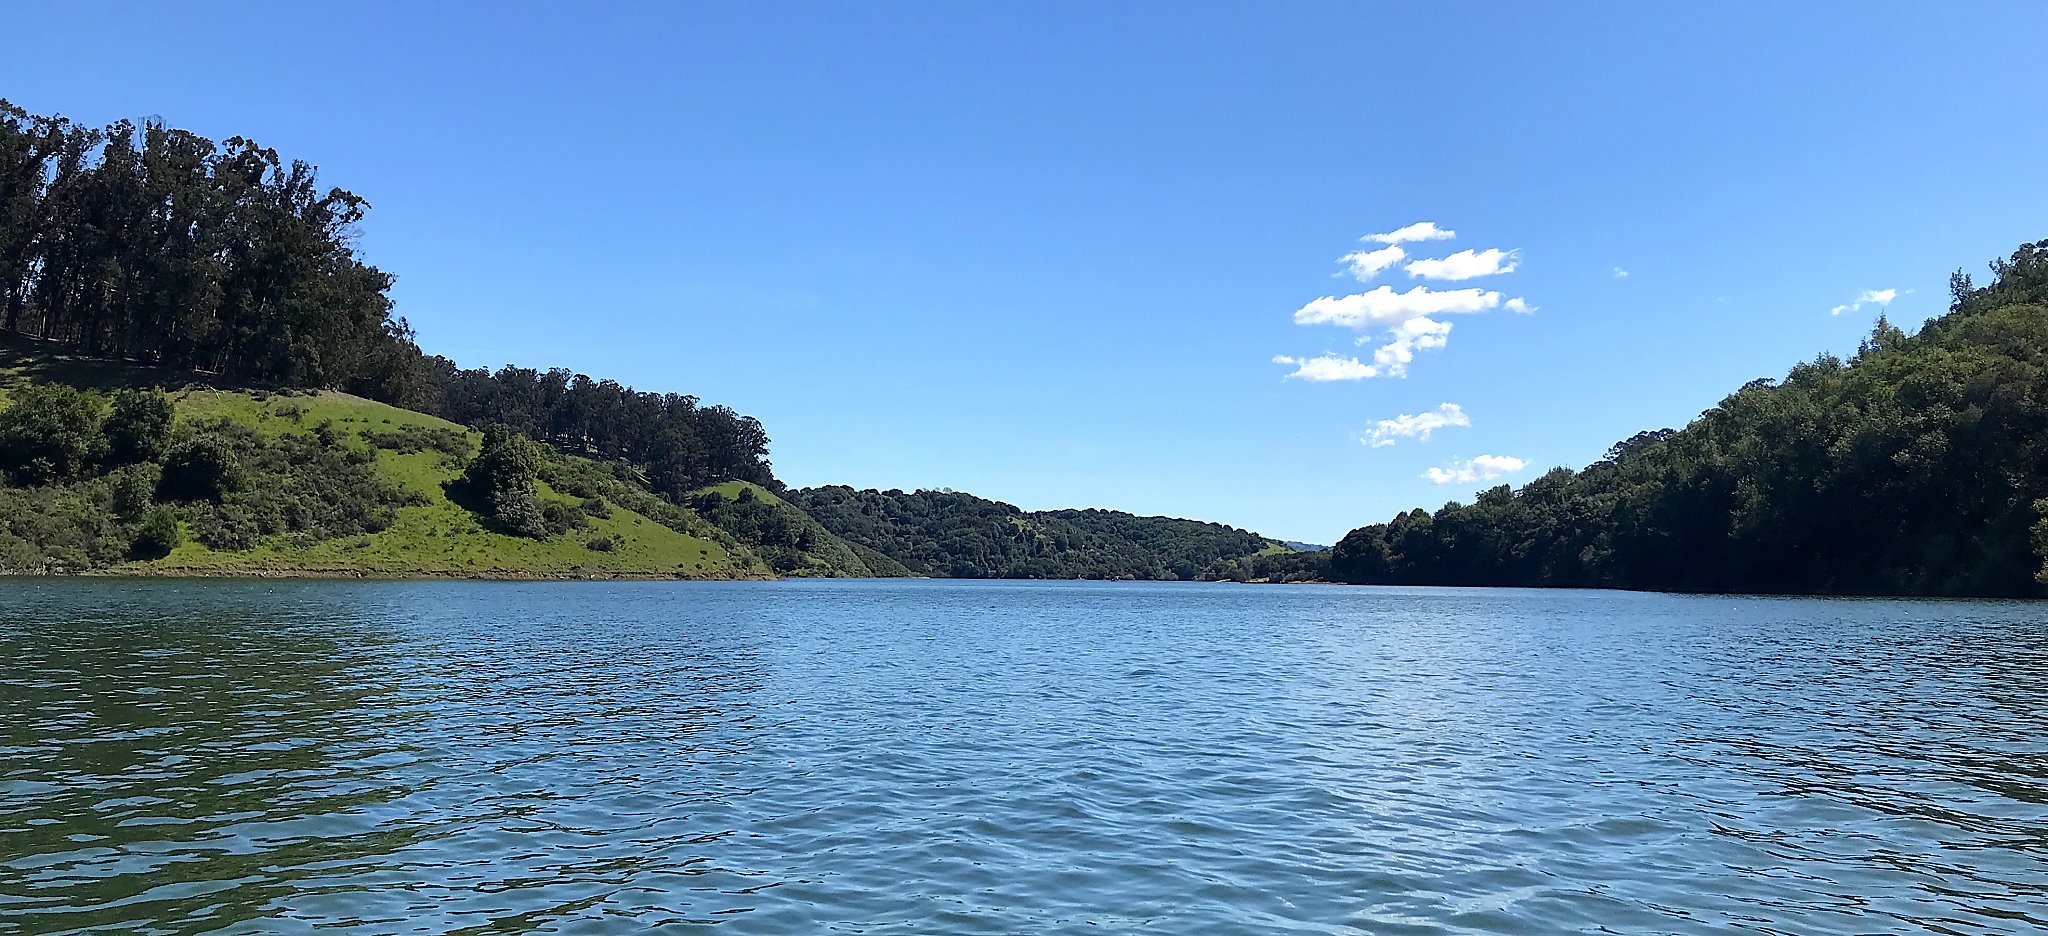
[{"x": 169, "y": 249}]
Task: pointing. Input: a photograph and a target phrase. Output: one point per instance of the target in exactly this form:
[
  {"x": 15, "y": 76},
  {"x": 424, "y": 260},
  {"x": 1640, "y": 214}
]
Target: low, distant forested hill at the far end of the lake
[{"x": 959, "y": 536}]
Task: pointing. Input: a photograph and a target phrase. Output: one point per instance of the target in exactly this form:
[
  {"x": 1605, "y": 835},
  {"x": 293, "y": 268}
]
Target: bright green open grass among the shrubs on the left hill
[{"x": 437, "y": 538}]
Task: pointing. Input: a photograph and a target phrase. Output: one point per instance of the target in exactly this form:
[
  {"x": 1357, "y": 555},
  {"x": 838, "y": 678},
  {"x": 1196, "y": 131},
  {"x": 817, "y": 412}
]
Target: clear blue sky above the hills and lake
[{"x": 1050, "y": 253}]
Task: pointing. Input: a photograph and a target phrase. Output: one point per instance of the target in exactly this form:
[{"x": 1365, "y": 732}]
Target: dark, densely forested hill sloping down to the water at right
[{"x": 1920, "y": 466}]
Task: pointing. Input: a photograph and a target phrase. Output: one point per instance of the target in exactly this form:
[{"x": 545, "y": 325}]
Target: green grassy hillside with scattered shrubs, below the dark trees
[{"x": 394, "y": 464}]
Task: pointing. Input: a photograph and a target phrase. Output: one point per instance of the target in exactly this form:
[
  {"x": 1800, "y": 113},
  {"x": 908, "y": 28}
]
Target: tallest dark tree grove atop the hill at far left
[{"x": 165, "y": 247}]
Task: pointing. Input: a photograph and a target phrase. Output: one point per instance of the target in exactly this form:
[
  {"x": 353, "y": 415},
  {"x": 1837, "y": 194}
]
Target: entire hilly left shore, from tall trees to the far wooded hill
[{"x": 308, "y": 431}]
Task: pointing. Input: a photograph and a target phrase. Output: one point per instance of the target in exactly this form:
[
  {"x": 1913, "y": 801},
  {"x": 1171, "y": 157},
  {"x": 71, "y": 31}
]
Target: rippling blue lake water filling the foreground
[{"x": 1015, "y": 759}]
